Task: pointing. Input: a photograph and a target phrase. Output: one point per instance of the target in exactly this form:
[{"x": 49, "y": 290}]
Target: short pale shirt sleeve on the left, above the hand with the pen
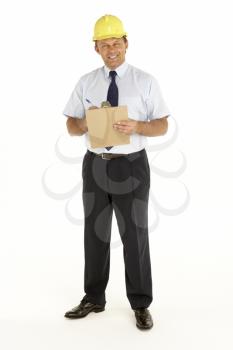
[{"x": 74, "y": 107}]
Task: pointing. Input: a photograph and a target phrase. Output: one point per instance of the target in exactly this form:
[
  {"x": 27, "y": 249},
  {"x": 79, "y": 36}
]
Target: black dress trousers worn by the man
[{"x": 121, "y": 184}]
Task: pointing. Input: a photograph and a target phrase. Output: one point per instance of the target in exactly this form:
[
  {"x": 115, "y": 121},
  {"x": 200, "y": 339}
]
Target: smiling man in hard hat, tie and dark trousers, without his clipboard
[{"x": 118, "y": 177}]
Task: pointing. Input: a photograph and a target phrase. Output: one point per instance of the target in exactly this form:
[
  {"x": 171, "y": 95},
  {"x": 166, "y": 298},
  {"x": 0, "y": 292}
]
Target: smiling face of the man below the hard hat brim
[{"x": 112, "y": 51}]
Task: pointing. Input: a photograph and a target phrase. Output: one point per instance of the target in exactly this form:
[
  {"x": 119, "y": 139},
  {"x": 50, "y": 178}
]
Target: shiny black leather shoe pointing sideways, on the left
[{"x": 83, "y": 309}]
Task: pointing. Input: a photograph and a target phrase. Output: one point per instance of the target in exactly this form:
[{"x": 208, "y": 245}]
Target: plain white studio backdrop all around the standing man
[{"x": 45, "y": 47}]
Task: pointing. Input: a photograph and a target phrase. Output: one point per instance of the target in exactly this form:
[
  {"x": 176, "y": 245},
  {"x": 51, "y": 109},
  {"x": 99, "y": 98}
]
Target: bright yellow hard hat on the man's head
[{"x": 108, "y": 26}]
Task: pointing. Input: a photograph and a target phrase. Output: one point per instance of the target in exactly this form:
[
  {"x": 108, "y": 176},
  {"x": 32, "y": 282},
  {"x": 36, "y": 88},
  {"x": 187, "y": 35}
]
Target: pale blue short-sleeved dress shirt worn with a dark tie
[{"x": 138, "y": 90}]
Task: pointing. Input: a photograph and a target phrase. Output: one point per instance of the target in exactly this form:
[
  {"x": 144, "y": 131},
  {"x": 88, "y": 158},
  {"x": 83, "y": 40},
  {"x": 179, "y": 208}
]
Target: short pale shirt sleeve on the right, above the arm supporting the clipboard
[{"x": 156, "y": 106}]
